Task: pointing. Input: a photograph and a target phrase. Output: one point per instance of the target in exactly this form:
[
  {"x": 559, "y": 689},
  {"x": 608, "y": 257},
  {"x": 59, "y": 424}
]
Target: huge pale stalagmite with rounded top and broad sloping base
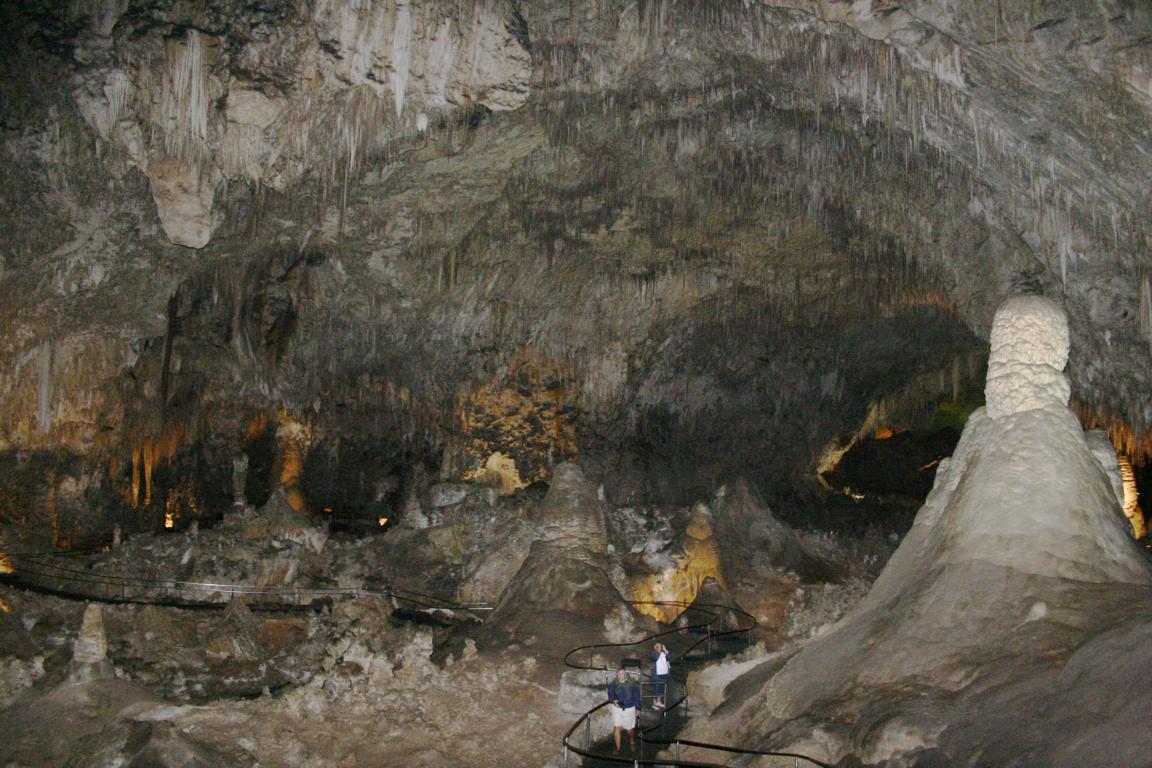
[{"x": 1018, "y": 596}]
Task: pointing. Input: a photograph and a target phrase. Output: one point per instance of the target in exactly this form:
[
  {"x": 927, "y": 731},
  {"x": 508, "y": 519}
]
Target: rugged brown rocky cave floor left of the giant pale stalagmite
[{"x": 354, "y": 683}]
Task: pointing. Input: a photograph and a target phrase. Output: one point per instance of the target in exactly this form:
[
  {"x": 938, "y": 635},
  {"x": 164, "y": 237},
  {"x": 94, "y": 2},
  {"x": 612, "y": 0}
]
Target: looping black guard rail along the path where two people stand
[{"x": 700, "y": 628}]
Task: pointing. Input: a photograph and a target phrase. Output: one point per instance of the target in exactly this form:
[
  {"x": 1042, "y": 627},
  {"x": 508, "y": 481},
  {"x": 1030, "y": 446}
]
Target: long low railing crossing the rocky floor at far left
[{"x": 37, "y": 571}]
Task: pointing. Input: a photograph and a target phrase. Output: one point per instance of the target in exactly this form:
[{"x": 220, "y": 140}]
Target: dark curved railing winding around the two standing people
[{"x": 711, "y": 634}]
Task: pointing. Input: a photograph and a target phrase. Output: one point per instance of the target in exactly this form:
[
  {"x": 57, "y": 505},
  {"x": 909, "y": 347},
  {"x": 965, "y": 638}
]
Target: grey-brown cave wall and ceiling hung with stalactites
[{"x": 347, "y": 248}]
